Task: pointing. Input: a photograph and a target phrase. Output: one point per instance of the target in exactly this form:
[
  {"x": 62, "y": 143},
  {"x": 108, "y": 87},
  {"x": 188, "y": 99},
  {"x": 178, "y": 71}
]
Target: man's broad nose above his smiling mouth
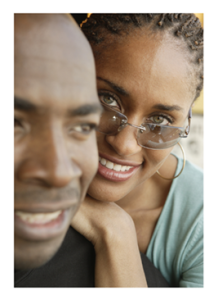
[{"x": 49, "y": 162}]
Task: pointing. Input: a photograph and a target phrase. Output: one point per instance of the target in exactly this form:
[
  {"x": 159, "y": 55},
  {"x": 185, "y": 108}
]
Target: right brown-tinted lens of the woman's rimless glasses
[{"x": 159, "y": 137}]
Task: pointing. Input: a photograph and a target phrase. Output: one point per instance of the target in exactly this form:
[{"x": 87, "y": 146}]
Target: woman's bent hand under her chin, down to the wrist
[{"x": 97, "y": 220}]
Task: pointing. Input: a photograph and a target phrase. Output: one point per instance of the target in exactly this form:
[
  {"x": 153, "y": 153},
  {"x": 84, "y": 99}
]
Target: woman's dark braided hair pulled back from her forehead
[{"x": 182, "y": 26}]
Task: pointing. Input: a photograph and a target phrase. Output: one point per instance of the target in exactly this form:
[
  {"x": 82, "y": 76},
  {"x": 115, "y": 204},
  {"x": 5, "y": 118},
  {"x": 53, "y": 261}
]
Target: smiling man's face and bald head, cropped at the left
[{"x": 56, "y": 111}]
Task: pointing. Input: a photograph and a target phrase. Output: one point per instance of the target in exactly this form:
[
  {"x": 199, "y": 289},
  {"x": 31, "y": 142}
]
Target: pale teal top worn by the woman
[{"x": 176, "y": 246}]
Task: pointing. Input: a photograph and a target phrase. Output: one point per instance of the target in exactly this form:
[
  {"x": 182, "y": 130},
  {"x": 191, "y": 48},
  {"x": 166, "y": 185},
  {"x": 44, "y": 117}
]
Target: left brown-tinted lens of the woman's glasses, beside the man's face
[{"x": 110, "y": 121}]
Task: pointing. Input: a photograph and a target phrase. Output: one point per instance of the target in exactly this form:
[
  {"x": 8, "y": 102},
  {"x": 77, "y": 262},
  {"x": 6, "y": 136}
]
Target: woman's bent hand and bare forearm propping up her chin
[{"x": 112, "y": 232}]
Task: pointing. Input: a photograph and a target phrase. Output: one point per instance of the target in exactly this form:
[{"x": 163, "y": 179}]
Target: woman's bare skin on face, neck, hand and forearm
[{"x": 143, "y": 76}]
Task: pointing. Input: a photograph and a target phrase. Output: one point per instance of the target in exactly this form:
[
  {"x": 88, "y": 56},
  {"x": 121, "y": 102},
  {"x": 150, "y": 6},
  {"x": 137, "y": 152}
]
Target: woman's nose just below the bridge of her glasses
[{"x": 125, "y": 142}]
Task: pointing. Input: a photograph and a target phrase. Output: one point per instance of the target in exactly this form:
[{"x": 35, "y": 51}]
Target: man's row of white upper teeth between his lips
[{"x": 41, "y": 218}]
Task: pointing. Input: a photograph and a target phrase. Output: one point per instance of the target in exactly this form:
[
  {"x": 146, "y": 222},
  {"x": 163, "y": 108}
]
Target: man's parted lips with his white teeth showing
[{"x": 34, "y": 227}]
